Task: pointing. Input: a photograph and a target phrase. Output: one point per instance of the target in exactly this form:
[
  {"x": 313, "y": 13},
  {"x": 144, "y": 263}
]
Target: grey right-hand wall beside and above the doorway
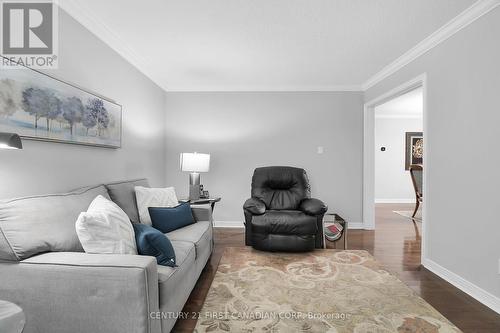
[{"x": 463, "y": 116}]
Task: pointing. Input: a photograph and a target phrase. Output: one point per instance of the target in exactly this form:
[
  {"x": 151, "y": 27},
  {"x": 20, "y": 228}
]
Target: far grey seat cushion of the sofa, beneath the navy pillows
[{"x": 199, "y": 233}]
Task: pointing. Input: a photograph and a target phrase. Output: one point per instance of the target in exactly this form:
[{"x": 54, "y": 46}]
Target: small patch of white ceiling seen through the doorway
[{"x": 409, "y": 105}]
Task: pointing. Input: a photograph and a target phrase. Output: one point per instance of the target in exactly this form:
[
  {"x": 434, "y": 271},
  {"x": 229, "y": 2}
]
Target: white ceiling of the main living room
[{"x": 263, "y": 44}]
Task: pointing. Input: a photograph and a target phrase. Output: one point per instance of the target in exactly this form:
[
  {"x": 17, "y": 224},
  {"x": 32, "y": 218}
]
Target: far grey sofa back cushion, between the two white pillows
[{"x": 123, "y": 194}]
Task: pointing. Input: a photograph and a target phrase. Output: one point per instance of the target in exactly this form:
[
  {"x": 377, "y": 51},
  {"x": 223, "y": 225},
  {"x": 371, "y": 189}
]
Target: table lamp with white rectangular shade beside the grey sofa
[{"x": 194, "y": 163}]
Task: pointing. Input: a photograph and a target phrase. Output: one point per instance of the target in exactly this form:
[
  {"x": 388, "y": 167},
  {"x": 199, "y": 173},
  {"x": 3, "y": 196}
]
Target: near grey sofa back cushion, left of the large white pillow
[{"x": 43, "y": 223}]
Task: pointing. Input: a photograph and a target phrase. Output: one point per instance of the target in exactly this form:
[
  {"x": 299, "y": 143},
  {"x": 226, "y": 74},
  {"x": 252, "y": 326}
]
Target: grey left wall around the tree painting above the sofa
[{"x": 85, "y": 60}]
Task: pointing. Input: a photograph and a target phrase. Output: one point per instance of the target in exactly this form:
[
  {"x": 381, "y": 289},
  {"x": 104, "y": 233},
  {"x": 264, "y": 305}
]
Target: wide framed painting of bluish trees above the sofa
[{"x": 40, "y": 107}]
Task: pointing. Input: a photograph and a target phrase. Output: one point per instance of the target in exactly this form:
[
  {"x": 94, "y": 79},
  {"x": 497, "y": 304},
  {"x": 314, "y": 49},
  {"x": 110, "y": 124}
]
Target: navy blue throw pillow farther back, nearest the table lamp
[{"x": 167, "y": 219}]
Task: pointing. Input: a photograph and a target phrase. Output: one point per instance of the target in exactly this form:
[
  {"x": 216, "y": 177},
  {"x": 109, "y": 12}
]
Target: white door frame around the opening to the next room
[{"x": 369, "y": 151}]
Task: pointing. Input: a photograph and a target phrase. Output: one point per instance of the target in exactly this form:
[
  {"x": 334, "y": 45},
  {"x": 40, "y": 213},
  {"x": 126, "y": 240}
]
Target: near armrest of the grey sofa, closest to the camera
[{"x": 79, "y": 292}]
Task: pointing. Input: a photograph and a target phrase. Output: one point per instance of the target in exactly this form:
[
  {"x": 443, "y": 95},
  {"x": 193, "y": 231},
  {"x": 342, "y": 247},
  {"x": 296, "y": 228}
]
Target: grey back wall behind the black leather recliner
[{"x": 243, "y": 131}]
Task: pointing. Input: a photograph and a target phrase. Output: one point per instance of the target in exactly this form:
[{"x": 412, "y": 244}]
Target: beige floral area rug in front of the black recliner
[{"x": 322, "y": 291}]
